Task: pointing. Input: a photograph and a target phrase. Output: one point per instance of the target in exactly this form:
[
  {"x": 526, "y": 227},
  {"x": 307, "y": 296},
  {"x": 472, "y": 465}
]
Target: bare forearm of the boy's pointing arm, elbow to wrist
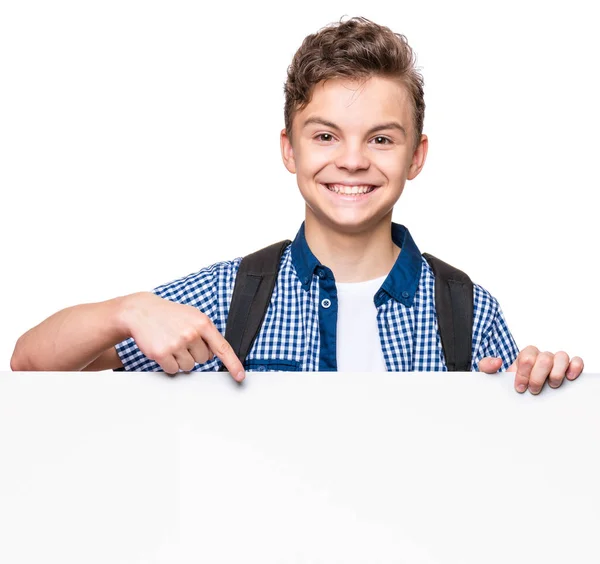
[{"x": 72, "y": 338}]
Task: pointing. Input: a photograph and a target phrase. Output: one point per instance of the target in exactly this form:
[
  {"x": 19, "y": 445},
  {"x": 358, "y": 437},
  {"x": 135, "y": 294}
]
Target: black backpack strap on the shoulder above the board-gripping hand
[{"x": 454, "y": 305}]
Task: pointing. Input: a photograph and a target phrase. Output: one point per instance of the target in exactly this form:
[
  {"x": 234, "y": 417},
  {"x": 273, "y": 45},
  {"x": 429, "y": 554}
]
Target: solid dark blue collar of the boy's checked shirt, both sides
[{"x": 402, "y": 281}]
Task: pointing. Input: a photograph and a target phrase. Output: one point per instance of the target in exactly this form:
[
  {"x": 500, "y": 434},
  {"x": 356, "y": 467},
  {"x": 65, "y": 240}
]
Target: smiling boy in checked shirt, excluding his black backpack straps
[{"x": 353, "y": 291}]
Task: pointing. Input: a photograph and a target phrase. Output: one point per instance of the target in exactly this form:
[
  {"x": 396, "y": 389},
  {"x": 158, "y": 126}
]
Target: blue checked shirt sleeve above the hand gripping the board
[{"x": 491, "y": 336}]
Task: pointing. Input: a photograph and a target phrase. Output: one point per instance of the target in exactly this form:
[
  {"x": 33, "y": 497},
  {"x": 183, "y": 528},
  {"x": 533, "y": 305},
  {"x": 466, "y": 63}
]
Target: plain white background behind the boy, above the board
[{"x": 139, "y": 142}]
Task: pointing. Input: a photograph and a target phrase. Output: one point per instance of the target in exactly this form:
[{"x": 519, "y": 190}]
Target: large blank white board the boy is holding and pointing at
[{"x": 297, "y": 467}]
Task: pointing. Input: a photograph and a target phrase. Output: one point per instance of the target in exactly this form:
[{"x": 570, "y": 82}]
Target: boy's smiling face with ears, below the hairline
[{"x": 353, "y": 137}]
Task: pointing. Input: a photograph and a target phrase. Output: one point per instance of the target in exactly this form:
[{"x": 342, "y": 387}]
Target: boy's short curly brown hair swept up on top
[{"x": 356, "y": 49}]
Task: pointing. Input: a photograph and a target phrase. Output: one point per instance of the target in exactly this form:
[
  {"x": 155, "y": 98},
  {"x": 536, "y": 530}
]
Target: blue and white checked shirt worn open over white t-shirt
[{"x": 299, "y": 330}]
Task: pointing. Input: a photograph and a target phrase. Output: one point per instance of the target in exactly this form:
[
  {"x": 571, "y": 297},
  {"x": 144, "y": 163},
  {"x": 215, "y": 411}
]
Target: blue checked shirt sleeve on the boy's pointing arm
[{"x": 209, "y": 290}]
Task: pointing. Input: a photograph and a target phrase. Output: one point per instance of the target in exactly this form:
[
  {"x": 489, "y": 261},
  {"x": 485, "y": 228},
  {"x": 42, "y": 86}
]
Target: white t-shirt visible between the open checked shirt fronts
[{"x": 358, "y": 342}]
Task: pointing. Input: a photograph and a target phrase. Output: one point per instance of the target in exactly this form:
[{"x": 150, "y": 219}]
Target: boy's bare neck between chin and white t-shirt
[{"x": 353, "y": 257}]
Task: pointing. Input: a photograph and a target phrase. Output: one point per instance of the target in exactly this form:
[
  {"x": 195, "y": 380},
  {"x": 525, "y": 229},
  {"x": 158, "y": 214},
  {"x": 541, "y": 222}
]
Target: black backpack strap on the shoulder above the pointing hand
[{"x": 252, "y": 293}]
